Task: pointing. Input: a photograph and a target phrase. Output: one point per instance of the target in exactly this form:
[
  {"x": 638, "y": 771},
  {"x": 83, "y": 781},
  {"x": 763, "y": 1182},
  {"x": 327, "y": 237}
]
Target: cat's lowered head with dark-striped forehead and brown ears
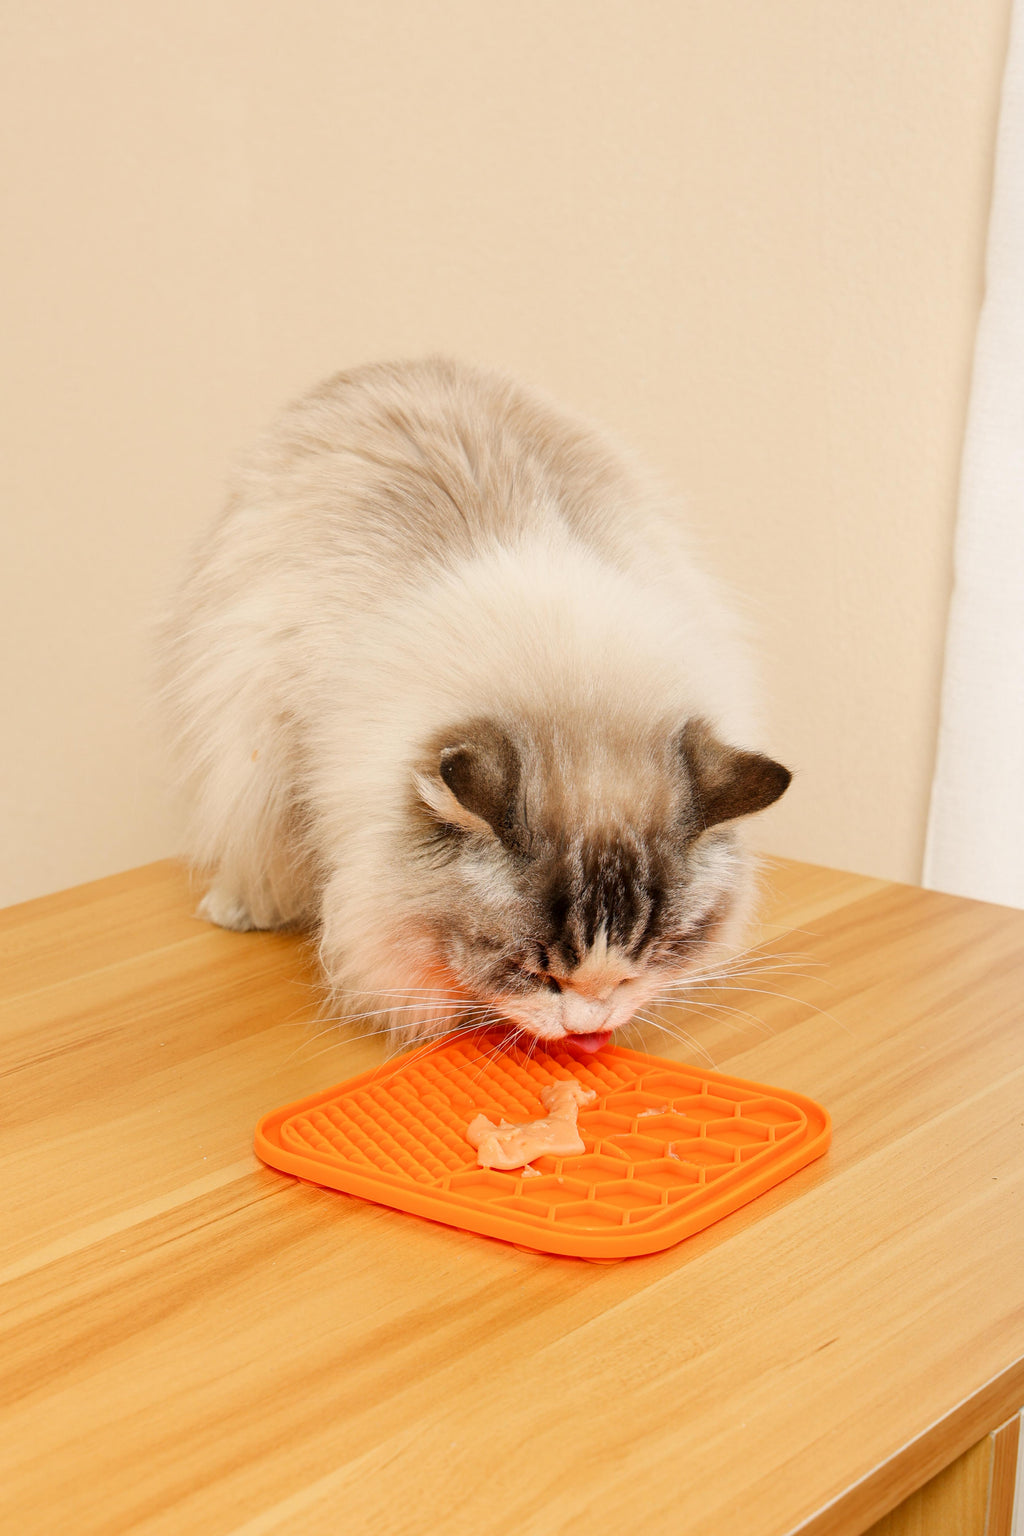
[{"x": 575, "y": 876}]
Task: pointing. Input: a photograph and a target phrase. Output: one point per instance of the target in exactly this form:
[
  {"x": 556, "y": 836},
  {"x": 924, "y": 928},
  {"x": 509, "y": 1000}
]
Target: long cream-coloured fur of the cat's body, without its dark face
[{"x": 409, "y": 548}]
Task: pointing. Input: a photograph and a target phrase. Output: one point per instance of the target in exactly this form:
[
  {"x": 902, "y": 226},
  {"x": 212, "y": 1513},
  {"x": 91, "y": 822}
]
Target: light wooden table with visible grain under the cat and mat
[{"x": 197, "y": 1345}]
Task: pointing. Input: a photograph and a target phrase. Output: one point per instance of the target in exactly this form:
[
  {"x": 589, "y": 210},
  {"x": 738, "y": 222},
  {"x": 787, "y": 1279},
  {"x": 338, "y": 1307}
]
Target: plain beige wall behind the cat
[{"x": 750, "y": 236}]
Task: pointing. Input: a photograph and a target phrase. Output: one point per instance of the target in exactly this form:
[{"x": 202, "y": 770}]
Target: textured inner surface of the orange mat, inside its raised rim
[{"x": 656, "y": 1140}]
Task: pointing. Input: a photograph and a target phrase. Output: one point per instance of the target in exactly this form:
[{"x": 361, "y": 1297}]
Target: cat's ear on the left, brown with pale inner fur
[{"x": 475, "y": 781}]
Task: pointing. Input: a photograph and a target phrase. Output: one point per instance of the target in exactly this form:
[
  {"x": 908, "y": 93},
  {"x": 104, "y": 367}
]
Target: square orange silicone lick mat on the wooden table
[{"x": 670, "y": 1148}]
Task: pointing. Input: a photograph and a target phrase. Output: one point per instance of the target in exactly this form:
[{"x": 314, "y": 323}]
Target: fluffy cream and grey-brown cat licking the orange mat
[{"x": 448, "y": 687}]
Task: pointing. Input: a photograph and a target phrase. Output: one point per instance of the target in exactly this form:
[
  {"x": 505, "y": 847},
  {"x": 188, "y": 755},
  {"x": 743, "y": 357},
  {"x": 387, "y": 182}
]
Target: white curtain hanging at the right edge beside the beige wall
[{"x": 976, "y": 838}]
